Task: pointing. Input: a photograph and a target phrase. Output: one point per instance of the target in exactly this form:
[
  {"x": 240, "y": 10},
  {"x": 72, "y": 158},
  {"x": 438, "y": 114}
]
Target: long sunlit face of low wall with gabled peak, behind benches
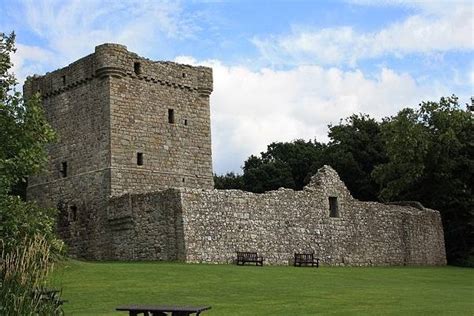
[{"x": 276, "y": 224}]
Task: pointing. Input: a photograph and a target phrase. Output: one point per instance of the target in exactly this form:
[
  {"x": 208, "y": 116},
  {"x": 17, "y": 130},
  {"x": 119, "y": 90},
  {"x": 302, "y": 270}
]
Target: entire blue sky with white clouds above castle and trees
[{"x": 282, "y": 69}]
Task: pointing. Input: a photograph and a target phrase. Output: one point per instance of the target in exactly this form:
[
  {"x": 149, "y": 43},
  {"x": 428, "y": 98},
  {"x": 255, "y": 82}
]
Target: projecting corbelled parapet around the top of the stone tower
[{"x": 116, "y": 61}]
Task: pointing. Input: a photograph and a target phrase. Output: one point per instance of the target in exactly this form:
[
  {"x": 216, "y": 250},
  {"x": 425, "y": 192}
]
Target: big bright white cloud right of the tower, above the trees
[{"x": 251, "y": 109}]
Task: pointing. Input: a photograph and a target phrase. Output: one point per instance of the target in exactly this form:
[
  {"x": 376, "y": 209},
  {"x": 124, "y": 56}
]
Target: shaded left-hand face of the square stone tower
[{"x": 76, "y": 105}]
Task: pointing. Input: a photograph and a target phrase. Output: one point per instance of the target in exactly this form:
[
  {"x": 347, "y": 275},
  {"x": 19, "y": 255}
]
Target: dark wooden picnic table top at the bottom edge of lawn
[{"x": 162, "y": 310}]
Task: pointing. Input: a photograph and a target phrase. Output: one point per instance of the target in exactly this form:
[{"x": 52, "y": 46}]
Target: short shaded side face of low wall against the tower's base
[{"x": 147, "y": 226}]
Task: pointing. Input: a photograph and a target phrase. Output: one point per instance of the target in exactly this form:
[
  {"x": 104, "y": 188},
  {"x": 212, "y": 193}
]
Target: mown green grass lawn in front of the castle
[{"x": 93, "y": 288}]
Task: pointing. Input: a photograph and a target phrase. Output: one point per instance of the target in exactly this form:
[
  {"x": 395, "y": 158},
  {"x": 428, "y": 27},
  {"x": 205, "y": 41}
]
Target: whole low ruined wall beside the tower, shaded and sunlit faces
[{"x": 211, "y": 225}]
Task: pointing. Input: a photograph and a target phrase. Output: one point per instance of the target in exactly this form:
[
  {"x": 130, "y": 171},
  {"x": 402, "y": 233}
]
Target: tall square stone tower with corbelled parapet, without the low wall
[{"x": 126, "y": 125}]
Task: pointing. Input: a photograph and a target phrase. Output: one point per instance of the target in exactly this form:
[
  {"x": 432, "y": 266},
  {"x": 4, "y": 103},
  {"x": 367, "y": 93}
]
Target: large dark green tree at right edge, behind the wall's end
[{"x": 431, "y": 160}]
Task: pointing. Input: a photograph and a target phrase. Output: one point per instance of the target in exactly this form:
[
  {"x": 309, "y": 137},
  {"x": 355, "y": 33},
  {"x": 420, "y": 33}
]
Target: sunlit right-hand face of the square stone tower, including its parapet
[{"x": 176, "y": 154}]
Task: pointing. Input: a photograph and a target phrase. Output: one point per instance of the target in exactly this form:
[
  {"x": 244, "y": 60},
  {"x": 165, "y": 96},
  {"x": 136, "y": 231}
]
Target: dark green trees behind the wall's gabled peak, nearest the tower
[{"x": 354, "y": 150}]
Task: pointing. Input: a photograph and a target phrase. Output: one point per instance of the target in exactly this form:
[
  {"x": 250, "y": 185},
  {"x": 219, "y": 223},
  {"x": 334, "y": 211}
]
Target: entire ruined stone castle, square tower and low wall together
[{"x": 135, "y": 135}]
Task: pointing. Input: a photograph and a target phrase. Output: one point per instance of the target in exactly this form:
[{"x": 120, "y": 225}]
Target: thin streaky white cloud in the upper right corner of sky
[{"x": 438, "y": 28}]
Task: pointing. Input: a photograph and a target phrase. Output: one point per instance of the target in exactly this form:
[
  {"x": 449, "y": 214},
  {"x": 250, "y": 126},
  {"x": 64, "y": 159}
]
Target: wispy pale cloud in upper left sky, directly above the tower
[{"x": 70, "y": 29}]
